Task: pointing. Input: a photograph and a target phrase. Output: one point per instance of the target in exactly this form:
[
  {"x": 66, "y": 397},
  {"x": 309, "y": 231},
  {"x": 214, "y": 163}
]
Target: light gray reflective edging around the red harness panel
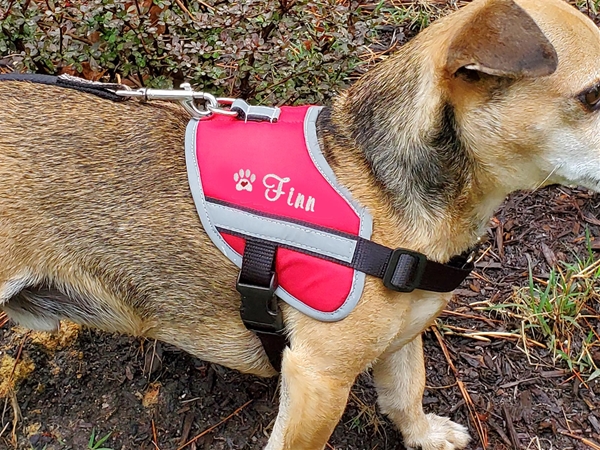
[{"x": 202, "y": 206}]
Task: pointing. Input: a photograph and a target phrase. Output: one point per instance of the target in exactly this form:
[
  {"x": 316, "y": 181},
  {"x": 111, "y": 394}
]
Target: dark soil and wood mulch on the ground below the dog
[{"x": 141, "y": 391}]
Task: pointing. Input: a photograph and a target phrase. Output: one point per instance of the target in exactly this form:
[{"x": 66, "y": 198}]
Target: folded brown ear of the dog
[{"x": 502, "y": 40}]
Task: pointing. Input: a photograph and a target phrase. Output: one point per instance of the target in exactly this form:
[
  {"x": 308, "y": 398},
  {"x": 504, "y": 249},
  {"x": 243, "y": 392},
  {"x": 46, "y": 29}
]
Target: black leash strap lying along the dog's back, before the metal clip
[{"x": 103, "y": 90}]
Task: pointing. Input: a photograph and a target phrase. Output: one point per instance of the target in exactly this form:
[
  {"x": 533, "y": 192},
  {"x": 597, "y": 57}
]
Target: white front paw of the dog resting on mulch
[{"x": 442, "y": 434}]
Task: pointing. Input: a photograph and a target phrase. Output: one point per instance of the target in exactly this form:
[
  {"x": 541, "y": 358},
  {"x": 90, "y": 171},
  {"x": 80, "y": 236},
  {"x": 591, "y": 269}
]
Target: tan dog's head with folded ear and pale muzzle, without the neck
[{"x": 524, "y": 79}]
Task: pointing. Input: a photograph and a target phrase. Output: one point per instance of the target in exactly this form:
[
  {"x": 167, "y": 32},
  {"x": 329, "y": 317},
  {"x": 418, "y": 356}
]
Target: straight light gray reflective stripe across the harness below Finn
[{"x": 282, "y": 232}]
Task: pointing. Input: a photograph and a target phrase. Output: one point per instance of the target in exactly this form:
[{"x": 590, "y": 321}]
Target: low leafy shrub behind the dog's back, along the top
[{"x": 270, "y": 51}]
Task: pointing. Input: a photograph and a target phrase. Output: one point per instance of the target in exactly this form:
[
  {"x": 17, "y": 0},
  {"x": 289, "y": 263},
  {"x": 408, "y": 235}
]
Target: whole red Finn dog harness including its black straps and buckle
[{"x": 270, "y": 202}]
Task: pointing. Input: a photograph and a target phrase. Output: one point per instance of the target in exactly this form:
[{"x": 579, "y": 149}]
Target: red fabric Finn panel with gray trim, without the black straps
[{"x": 270, "y": 182}]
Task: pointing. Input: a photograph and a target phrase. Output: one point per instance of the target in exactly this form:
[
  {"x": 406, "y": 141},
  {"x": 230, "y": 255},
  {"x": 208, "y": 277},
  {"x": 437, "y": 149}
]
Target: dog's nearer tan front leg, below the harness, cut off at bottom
[{"x": 314, "y": 393}]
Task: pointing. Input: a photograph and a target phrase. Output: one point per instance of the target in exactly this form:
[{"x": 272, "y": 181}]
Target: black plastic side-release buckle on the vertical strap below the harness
[{"x": 260, "y": 310}]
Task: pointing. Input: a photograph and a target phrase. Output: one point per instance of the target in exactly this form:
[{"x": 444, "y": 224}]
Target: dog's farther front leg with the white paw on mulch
[{"x": 400, "y": 381}]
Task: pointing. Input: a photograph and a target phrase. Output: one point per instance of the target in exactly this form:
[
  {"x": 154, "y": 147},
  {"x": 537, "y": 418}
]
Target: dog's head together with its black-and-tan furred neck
[{"x": 499, "y": 96}]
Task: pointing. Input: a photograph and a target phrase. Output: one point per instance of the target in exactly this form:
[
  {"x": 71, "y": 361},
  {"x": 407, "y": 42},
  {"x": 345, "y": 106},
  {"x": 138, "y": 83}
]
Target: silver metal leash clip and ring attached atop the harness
[{"x": 212, "y": 105}]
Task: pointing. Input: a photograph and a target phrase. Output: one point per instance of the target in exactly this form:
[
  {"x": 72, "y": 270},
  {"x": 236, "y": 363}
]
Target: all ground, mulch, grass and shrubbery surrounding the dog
[{"x": 516, "y": 356}]
